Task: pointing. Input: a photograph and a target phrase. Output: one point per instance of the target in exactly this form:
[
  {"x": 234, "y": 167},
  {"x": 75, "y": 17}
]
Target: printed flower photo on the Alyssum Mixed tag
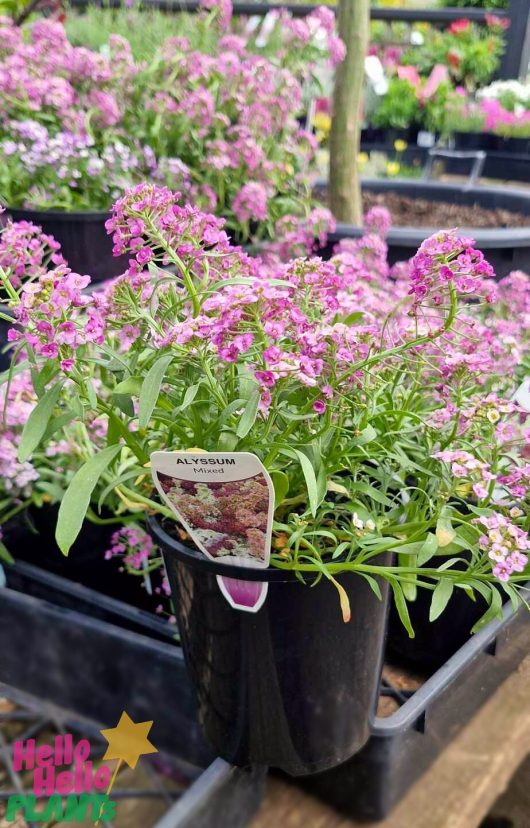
[{"x": 225, "y": 518}]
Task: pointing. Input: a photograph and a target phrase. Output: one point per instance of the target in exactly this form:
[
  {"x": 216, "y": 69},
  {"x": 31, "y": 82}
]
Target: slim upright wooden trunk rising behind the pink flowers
[{"x": 344, "y": 183}]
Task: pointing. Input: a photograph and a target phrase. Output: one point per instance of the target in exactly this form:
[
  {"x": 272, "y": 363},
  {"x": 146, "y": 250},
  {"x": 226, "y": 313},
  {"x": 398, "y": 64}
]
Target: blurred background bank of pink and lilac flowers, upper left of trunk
[{"x": 80, "y": 127}]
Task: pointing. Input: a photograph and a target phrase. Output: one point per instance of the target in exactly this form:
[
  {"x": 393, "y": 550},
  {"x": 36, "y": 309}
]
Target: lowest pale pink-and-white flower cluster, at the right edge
[{"x": 505, "y": 543}]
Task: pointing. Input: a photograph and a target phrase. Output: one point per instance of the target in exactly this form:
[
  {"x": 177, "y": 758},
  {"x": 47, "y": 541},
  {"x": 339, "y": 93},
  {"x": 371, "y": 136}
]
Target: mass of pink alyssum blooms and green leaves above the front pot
[{"x": 383, "y": 399}]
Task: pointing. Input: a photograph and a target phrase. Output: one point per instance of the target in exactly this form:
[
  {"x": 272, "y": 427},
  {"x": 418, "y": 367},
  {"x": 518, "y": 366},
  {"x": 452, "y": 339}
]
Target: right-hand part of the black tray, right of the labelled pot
[{"x": 416, "y": 720}]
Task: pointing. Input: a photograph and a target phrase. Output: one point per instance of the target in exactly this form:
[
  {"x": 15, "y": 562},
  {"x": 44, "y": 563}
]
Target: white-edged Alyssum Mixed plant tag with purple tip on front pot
[{"x": 225, "y": 501}]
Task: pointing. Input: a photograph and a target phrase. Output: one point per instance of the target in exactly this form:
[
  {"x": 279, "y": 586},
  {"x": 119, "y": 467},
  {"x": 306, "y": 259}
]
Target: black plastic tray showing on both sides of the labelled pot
[{"x": 97, "y": 656}]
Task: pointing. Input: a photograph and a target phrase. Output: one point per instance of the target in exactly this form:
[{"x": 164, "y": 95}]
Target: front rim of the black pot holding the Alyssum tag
[{"x": 195, "y": 558}]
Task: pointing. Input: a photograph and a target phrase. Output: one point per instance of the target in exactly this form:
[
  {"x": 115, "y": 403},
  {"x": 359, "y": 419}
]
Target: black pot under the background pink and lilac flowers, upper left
[{"x": 84, "y": 241}]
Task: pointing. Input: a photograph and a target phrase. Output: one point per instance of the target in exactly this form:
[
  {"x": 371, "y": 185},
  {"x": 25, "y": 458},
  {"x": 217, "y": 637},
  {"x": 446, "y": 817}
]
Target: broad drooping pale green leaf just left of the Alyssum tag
[{"x": 76, "y": 499}]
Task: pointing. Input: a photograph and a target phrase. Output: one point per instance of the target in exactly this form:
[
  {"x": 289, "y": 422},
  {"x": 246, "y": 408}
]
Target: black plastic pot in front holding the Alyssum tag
[{"x": 291, "y": 686}]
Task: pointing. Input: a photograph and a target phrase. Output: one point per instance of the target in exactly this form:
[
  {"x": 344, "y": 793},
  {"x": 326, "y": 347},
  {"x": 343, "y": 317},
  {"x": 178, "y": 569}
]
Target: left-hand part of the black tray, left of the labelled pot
[{"x": 96, "y": 656}]
